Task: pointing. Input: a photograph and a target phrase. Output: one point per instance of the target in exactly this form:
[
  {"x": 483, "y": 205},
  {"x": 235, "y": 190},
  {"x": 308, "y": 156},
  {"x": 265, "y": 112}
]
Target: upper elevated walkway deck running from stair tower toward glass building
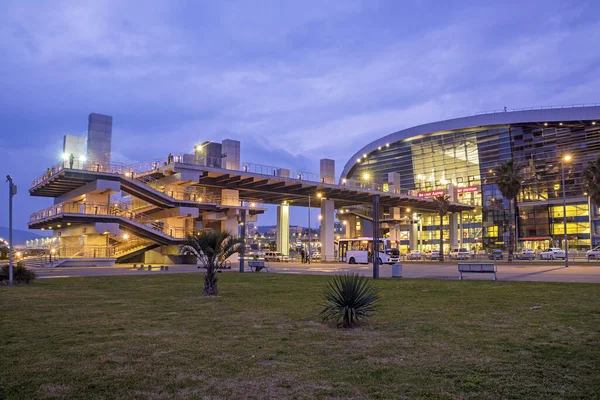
[{"x": 272, "y": 185}]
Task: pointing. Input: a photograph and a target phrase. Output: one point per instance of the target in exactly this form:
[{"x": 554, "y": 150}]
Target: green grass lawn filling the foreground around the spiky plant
[{"x": 157, "y": 337}]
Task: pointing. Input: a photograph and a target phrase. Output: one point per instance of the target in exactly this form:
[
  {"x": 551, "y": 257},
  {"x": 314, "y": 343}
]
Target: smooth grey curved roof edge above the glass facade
[{"x": 496, "y": 118}]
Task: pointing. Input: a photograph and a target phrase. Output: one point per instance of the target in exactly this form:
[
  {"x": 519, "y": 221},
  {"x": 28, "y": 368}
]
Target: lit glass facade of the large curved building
[{"x": 462, "y": 161}]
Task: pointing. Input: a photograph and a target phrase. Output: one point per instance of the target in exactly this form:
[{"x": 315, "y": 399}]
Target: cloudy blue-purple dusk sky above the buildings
[{"x": 295, "y": 81}]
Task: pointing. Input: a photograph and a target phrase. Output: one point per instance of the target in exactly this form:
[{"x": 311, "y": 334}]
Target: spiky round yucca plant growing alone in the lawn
[{"x": 349, "y": 299}]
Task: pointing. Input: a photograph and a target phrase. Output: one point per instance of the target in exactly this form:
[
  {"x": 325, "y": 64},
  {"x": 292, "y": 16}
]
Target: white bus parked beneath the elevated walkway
[{"x": 360, "y": 251}]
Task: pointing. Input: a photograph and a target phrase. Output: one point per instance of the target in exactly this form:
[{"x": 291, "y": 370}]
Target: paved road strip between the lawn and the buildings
[{"x": 550, "y": 272}]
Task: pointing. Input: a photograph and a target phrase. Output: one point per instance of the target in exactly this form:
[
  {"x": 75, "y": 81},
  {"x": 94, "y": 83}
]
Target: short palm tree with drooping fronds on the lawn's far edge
[{"x": 212, "y": 249}]
